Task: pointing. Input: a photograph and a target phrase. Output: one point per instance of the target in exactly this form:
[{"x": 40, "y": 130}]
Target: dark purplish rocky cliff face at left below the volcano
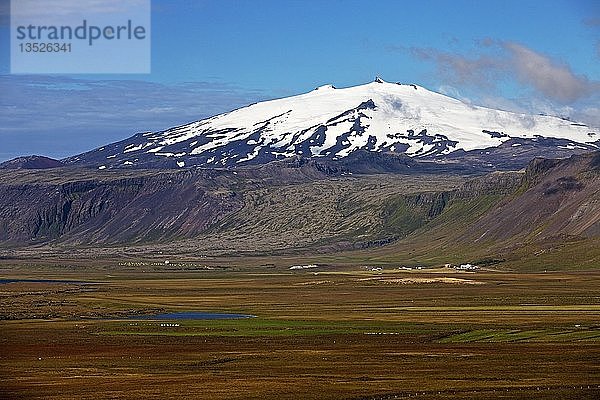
[{"x": 99, "y": 210}]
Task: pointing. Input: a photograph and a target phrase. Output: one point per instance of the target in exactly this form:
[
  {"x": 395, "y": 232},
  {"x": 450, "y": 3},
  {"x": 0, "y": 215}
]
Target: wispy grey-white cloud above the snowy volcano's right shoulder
[{"x": 538, "y": 83}]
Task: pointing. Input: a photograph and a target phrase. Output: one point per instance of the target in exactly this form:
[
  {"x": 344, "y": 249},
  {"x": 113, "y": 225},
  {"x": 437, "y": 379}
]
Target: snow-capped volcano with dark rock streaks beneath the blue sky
[{"x": 332, "y": 123}]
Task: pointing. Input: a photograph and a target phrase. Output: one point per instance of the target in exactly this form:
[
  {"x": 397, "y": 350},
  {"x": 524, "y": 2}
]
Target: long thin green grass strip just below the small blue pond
[{"x": 256, "y": 327}]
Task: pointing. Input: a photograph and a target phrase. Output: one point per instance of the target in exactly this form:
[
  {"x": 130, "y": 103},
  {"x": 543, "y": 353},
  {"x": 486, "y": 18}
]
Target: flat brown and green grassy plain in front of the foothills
[{"x": 326, "y": 333}]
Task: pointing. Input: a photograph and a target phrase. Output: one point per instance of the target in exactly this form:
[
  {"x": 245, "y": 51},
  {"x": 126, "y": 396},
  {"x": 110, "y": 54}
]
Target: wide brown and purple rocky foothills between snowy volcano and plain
[{"x": 312, "y": 206}]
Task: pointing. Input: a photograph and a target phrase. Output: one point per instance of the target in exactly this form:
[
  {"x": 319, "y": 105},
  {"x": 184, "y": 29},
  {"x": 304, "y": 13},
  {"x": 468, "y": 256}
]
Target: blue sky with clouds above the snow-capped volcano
[{"x": 216, "y": 55}]
